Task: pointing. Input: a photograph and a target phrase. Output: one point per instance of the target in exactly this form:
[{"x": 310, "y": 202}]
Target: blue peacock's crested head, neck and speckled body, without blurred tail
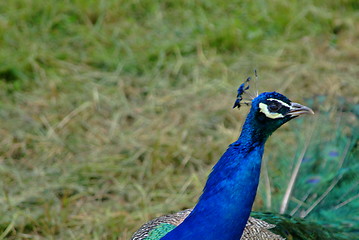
[{"x": 223, "y": 210}]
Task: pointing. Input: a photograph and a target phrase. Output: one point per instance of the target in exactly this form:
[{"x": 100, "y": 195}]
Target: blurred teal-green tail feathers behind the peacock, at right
[{"x": 326, "y": 188}]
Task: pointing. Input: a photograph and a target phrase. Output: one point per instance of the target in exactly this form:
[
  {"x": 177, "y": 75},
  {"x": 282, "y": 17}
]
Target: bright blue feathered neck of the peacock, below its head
[{"x": 224, "y": 207}]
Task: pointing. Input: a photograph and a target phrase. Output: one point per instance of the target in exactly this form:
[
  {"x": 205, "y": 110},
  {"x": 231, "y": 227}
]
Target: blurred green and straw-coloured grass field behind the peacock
[{"x": 113, "y": 112}]
